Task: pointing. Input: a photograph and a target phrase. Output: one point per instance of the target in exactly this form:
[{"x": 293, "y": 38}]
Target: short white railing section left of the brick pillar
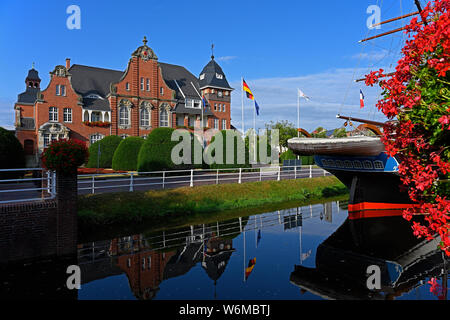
[{"x": 20, "y": 190}]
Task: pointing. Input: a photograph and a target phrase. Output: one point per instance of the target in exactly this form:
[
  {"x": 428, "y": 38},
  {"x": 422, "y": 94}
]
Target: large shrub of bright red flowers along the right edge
[{"x": 418, "y": 96}]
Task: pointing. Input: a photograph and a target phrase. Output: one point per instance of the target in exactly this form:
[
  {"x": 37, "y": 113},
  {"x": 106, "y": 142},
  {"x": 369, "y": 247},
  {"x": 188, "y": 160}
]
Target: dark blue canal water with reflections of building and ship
[{"x": 303, "y": 253}]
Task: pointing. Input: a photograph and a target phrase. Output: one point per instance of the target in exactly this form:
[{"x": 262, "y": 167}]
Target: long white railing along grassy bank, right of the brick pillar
[{"x": 164, "y": 179}]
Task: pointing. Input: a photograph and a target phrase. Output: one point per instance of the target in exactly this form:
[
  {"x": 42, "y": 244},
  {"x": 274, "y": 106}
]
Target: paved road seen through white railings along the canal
[{"x": 174, "y": 180}]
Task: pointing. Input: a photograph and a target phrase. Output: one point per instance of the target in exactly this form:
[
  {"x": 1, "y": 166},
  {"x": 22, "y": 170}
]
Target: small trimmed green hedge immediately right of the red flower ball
[{"x": 108, "y": 146}]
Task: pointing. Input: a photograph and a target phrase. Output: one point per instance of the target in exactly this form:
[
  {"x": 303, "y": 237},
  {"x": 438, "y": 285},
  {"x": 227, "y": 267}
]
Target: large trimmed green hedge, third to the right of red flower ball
[{"x": 155, "y": 153}]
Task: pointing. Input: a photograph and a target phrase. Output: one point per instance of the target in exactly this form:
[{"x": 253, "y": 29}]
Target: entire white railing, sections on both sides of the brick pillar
[{"x": 42, "y": 184}]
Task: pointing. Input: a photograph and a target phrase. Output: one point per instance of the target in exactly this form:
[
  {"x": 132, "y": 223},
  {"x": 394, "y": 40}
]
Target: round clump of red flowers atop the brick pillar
[{"x": 65, "y": 155}]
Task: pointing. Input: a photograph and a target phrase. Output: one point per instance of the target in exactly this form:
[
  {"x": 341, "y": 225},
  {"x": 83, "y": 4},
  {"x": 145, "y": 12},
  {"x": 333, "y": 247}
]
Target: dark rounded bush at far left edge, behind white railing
[{"x": 11, "y": 154}]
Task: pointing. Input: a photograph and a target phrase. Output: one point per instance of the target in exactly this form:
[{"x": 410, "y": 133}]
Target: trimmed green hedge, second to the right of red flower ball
[{"x": 126, "y": 155}]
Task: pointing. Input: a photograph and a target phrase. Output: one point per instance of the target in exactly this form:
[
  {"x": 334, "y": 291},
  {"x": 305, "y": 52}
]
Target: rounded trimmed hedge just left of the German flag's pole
[{"x": 211, "y": 153}]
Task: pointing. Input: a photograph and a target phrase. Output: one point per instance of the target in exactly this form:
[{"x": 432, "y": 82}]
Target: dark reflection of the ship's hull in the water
[{"x": 342, "y": 260}]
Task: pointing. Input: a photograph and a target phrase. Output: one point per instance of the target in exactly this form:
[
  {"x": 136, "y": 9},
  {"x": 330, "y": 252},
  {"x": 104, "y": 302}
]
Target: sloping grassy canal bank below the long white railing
[{"x": 158, "y": 207}]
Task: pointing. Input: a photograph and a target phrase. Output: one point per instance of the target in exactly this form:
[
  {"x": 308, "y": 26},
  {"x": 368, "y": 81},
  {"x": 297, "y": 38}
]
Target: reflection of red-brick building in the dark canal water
[{"x": 146, "y": 267}]
